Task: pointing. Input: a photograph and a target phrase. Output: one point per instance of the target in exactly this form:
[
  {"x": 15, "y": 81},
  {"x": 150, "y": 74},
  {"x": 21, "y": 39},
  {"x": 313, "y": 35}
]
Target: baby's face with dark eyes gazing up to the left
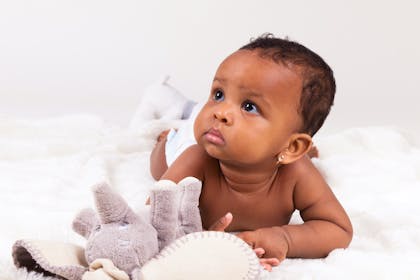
[{"x": 252, "y": 110}]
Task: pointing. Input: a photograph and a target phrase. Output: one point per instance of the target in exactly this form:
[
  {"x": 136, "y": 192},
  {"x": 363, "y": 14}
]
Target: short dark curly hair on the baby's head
[{"x": 318, "y": 83}]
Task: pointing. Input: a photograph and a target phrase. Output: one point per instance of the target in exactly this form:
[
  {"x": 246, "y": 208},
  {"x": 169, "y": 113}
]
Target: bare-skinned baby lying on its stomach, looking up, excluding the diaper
[{"x": 266, "y": 102}]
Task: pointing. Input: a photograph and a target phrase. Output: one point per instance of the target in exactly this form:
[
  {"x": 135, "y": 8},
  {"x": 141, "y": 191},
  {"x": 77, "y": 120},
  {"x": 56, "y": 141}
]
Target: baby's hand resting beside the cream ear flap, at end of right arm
[{"x": 273, "y": 240}]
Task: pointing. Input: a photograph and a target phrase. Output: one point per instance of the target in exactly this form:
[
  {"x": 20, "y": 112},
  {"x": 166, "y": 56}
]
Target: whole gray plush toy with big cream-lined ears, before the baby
[{"x": 122, "y": 245}]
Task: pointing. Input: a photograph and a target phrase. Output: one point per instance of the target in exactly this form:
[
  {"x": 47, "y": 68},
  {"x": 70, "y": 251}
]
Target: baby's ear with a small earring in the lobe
[{"x": 299, "y": 145}]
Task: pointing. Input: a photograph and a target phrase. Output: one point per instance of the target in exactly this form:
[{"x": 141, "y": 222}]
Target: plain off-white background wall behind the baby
[{"x": 87, "y": 56}]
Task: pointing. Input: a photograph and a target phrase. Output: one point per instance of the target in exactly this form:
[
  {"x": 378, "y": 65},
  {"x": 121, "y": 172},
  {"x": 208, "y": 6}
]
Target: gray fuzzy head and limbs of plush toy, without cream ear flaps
[{"x": 129, "y": 240}]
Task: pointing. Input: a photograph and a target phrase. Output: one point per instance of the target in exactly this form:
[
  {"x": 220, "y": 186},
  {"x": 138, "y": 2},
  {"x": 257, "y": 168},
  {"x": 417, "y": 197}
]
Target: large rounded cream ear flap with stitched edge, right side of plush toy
[{"x": 210, "y": 255}]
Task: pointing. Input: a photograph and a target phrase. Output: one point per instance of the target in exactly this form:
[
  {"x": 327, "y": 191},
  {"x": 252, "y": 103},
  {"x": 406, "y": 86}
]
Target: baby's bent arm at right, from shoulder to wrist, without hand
[{"x": 326, "y": 225}]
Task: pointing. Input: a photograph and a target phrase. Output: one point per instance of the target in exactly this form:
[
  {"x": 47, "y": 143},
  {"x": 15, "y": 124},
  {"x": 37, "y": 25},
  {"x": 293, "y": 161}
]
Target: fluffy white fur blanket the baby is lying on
[{"x": 48, "y": 166}]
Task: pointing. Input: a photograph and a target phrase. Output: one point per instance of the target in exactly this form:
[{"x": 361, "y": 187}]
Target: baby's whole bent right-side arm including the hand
[{"x": 326, "y": 225}]
